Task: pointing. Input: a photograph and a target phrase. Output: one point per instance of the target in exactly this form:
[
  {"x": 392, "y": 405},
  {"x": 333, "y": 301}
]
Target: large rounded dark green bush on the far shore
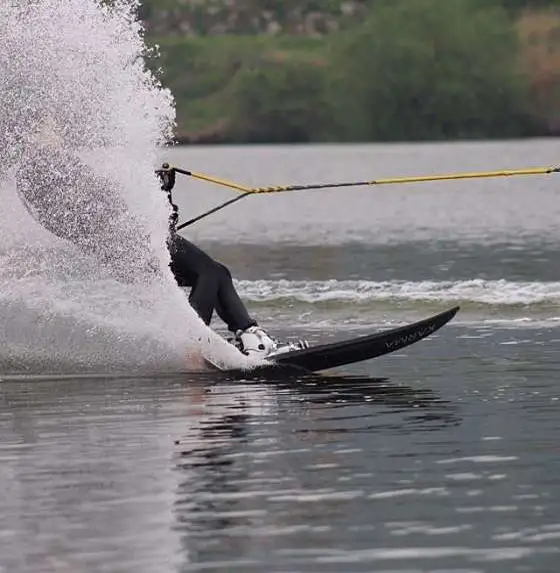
[{"x": 427, "y": 69}]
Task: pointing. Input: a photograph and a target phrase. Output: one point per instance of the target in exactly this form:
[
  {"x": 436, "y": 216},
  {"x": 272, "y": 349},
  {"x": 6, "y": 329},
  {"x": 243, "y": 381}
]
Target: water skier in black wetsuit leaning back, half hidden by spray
[{"x": 75, "y": 204}]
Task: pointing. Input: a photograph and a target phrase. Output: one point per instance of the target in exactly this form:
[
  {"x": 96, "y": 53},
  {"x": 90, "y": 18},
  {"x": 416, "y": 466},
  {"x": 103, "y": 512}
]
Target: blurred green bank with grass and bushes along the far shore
[{"x": 411, "y": 70}]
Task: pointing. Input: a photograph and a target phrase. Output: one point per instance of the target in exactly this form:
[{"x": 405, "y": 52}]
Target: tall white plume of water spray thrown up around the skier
[{"x": 75, "y": 71}]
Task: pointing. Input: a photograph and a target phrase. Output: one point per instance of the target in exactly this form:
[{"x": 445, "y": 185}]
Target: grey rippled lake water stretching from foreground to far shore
[{"x": 443, "y": 457}]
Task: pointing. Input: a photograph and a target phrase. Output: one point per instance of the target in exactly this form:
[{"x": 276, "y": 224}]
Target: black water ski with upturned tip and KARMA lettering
[{"x": 336, "y": 354}]
